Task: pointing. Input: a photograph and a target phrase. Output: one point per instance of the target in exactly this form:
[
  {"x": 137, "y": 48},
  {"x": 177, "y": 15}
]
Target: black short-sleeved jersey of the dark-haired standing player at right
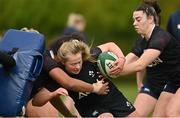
[{"x": 167, "y": 64}]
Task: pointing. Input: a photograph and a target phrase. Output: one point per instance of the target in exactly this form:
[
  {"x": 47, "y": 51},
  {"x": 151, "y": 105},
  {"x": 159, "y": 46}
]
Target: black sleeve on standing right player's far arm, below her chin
[{"x": 137, "y": 49}]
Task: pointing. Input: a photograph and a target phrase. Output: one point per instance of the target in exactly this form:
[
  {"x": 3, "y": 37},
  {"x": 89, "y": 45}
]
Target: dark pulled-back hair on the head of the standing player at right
[{"x": 149, "y": 11}]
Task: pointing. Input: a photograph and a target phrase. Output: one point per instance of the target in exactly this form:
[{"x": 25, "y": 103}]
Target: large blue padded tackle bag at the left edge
[{"x": 16, "y": 83}]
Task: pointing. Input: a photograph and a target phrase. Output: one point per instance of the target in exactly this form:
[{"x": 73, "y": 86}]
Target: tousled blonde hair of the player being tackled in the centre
[{"x": 74, "y": 47}]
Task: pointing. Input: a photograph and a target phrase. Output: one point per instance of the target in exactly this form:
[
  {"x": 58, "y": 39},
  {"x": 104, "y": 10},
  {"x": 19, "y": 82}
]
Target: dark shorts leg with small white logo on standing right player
[{"x": 150, "y": 90}]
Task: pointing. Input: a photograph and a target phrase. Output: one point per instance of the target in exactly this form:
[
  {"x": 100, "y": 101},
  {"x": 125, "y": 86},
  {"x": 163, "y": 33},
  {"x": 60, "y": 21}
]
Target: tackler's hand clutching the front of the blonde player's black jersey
[{"x": 101, "y": 88}]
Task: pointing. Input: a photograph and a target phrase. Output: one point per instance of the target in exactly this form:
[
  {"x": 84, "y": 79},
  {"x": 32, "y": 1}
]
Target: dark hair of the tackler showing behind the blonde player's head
[{"x": 54, "y": 46}]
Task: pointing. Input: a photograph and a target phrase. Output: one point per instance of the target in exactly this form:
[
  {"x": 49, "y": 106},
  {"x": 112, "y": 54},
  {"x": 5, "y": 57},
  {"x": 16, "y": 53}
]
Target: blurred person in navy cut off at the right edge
[{"x": 173, "y": 25}]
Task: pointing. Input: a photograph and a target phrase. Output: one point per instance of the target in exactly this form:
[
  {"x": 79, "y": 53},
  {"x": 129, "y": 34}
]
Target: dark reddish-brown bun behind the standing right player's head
[{"x": 155, "y": 5}]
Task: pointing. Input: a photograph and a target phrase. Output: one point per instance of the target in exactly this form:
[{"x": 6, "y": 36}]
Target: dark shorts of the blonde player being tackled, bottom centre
[{"x": 116, "y": 104}]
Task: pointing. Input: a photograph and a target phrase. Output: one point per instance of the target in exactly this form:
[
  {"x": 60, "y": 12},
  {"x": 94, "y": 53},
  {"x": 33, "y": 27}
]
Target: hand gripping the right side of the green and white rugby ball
[{"x": 117, "y": 67}]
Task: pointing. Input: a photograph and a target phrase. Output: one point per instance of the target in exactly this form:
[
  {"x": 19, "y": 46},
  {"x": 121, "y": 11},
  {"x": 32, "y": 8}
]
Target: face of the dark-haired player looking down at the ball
[{"x": 140, "y": 22}]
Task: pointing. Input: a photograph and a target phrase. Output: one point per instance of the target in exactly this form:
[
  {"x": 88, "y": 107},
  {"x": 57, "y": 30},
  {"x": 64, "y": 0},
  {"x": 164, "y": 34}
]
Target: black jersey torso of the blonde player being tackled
[{"x": 86, "y": 100}]
